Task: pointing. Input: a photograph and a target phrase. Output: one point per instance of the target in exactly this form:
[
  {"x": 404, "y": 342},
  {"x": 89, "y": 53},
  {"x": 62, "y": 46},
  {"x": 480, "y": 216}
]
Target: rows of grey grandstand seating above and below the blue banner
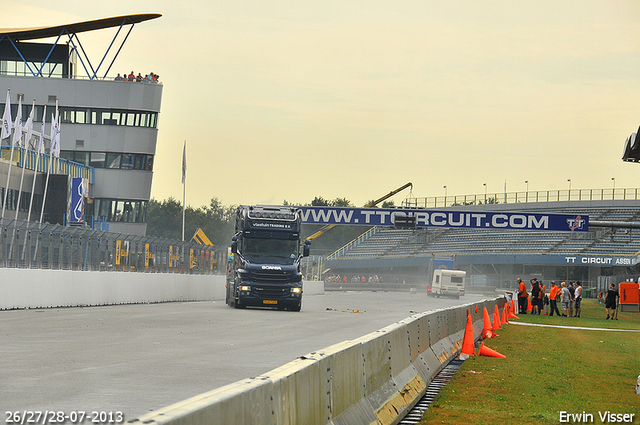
[{"x": 389, "y": 243}]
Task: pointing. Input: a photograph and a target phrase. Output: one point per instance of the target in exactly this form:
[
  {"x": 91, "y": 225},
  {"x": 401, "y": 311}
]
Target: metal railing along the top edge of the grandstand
[{"x": 520, "y": 197}]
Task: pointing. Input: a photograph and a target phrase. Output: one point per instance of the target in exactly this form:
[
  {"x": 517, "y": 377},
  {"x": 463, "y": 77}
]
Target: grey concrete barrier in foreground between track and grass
[{"x": 374, "y": 379}]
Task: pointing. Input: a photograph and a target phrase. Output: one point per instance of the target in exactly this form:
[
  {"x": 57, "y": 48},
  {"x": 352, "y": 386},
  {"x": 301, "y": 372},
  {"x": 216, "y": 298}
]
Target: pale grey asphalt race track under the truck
[{"x": 138, "y": 358}]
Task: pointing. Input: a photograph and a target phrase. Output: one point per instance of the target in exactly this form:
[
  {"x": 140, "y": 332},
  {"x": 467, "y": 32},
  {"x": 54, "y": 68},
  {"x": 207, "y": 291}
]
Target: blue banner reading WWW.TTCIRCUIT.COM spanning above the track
[{"x": 447, "y": 219}]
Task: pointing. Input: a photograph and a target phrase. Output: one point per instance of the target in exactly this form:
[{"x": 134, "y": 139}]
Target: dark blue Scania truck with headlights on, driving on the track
[{"x": 266, "y": 252}]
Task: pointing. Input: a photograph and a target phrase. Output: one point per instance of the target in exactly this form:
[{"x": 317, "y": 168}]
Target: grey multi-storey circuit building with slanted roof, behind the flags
[{"x": 111, "y": 126}]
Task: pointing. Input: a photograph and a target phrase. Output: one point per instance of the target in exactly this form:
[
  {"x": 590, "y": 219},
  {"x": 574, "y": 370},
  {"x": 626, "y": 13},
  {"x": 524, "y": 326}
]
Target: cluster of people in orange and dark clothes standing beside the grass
[{"x": 569, "y": 295}]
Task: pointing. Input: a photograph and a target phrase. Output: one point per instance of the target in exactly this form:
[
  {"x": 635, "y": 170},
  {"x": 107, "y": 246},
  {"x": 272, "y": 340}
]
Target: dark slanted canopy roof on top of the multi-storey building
[{"x": 47, "y": 32}]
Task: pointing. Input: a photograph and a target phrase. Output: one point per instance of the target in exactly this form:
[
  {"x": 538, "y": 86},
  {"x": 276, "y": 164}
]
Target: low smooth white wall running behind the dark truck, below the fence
[{"x": 38, "y": 288}]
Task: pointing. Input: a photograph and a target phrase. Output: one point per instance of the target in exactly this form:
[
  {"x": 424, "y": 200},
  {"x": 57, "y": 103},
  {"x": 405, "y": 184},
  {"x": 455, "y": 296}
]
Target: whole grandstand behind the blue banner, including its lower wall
[{"x": 500, "y": 255}]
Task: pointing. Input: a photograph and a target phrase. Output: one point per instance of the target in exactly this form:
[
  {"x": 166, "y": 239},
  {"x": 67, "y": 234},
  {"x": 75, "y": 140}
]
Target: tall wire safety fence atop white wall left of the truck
[{"x": 52, "y": 246}]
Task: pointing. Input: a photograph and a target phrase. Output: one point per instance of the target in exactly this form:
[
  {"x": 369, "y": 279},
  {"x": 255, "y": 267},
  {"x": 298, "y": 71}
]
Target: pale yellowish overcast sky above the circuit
[{"x": 288, "y": 100}]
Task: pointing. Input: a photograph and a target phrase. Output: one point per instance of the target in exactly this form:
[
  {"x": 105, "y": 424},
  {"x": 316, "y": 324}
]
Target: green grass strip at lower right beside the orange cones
[{"x": 547, "y": 370}]
